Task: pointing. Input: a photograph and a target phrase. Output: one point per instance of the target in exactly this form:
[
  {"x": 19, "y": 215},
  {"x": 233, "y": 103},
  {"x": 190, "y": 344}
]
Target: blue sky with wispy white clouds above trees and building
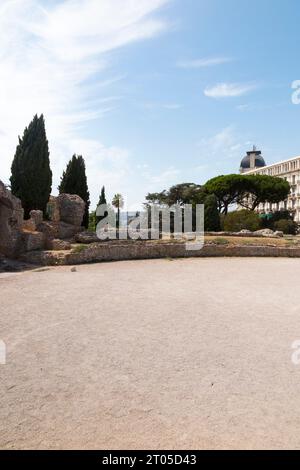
[{"x": 151, "y": 92}]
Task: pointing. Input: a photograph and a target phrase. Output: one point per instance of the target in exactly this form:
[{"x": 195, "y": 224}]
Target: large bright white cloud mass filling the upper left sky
[{"x": 52, "y": 61}]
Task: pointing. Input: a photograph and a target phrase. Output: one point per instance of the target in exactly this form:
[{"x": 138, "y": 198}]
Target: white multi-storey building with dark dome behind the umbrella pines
[{"x": 289, "y": 170}]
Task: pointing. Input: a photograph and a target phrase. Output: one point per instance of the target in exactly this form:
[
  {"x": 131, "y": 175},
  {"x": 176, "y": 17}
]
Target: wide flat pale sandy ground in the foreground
[{"x": 158, "y": 354}]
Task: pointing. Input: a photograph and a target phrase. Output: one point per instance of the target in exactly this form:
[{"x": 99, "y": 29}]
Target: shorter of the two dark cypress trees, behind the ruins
[{"x": 74, "y": 181}]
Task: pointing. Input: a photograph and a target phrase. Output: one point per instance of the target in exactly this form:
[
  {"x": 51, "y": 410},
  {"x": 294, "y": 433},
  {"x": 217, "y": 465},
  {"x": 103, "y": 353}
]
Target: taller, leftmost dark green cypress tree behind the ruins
[{"x": 31, "y": 176}]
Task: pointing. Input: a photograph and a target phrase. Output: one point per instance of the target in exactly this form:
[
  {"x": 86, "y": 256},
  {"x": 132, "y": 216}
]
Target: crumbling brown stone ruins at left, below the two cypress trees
[{"x": 65, "y": 214}]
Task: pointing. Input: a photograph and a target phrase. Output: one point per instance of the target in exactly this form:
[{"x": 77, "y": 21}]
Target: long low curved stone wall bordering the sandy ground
[{"x": 101, "y": 252}]
